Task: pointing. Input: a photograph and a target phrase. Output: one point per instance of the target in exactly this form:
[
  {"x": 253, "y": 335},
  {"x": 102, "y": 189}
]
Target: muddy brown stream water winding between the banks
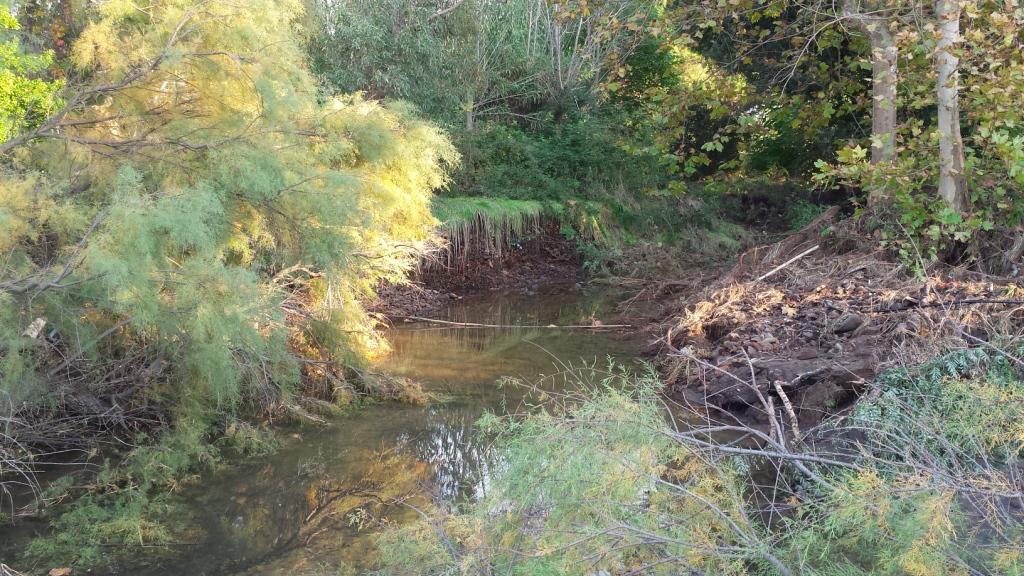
[{"x": 315, "y": 507}]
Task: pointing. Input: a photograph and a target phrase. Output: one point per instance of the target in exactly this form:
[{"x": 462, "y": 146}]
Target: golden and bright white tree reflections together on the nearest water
[{"x": 267, "y": 512}]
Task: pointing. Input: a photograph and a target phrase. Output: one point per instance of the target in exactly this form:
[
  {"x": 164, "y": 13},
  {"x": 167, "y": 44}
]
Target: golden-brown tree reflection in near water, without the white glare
[{"x": 271, "y": 515}]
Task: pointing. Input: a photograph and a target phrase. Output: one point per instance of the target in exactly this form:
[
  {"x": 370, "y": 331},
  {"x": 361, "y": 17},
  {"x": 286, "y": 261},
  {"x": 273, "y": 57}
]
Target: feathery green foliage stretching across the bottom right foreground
[{"x": 606, "y": 483}]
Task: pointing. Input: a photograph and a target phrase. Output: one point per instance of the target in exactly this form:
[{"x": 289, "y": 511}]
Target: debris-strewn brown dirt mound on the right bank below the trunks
[{"x": 805, "y": 325}]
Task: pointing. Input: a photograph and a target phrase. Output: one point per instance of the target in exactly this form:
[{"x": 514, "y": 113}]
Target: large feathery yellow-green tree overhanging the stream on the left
[{"x": 198, "y": 219}]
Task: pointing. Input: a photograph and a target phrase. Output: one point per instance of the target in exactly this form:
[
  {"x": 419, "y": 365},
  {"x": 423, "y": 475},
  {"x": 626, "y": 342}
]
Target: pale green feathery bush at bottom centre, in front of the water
[{"x": 583, "y": 488}]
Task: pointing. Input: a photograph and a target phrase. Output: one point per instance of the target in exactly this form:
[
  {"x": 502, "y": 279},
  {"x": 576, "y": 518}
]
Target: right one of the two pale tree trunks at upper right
[{"x": 953, "y": 184}]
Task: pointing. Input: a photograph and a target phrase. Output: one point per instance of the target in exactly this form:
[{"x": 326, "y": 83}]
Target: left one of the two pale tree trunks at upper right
[{"x": 885, "y": 76}]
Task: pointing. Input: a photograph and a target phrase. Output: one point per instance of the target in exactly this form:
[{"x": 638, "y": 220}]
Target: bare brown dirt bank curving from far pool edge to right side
[{"x": 802, "y": 325}]
